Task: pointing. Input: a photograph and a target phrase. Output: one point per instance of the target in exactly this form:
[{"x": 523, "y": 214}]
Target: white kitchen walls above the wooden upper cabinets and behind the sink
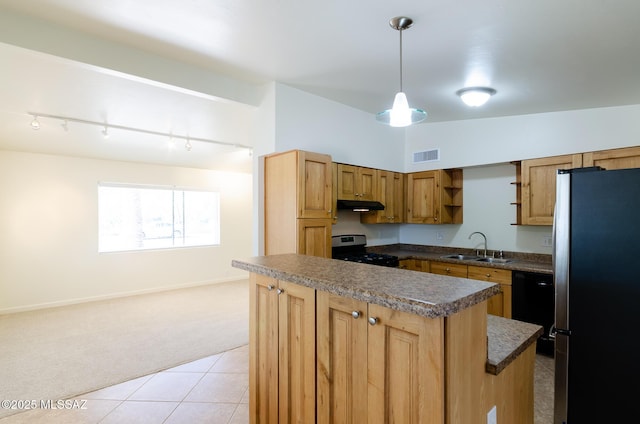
[{"x": 483, "y": 147}]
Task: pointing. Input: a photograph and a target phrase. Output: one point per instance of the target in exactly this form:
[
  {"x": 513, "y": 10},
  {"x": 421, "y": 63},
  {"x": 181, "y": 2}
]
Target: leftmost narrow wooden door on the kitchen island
[{"x": 263, "y": 353}]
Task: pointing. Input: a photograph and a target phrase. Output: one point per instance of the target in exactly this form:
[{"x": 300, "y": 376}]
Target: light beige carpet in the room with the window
[{"x": 61, "y": 352}]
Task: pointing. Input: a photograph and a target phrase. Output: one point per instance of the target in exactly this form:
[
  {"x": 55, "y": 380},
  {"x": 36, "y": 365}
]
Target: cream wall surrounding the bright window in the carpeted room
[{"x": 48, "y": 222}]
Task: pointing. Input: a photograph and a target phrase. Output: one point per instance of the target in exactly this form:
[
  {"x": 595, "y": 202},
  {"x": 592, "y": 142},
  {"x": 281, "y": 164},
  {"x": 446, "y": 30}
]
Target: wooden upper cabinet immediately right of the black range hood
[{"x": 390, "y": 192}]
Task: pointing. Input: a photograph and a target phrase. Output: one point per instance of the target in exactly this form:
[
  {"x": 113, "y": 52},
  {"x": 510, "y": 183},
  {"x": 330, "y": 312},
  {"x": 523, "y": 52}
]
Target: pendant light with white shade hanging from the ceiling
[{"x": 401, "y": 115}]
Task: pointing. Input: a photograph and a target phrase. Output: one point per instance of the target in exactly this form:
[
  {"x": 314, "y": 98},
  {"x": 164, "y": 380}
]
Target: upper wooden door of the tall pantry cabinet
[{"x": 315, "y": 185}]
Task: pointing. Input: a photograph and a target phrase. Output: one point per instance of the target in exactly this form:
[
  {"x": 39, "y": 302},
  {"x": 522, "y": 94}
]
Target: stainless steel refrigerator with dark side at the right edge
[{"x": 596, "y": 259}]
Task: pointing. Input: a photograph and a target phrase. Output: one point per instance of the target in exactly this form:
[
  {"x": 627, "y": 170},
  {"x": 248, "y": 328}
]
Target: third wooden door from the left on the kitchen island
[{"x": 342, "y": 359}]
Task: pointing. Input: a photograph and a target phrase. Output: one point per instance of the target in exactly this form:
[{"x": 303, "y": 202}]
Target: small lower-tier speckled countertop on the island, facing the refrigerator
[{"x": 508, "y": 338}]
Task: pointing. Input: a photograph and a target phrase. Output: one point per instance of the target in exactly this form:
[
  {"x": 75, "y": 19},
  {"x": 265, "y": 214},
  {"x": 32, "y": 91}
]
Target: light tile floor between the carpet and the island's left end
[{"x": 212, "y": 390}]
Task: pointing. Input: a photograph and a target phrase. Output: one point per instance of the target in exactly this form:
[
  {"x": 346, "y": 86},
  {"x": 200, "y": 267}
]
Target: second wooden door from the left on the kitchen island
[{"x": 297, "y": 353}]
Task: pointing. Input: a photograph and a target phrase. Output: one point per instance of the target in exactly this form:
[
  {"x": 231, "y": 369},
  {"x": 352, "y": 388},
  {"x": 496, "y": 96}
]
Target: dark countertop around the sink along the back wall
[{"x": 531, "y": 262}]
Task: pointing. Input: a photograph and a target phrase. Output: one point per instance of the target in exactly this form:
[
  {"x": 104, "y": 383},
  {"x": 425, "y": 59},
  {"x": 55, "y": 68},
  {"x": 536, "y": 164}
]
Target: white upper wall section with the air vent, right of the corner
[{"x": 499, "y": 140}]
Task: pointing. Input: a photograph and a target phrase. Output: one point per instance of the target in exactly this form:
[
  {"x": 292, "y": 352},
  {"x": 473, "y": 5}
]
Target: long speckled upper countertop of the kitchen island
[{"x": 424, "y": 294}]
